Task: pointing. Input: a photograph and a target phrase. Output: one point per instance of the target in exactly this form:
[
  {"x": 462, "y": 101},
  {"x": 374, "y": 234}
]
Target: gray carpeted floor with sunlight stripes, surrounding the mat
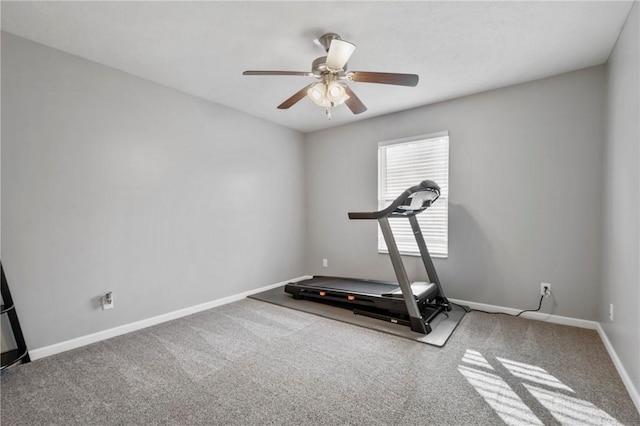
[{"x": 252, "y": 362}]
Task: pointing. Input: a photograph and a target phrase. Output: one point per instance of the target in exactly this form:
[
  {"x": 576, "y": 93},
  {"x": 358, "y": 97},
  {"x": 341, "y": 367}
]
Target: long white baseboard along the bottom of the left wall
[{"x": 127, "y": 328}]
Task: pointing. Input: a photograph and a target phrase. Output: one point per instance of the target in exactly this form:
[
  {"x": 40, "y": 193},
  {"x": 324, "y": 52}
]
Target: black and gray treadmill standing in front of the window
[{"x": 412, "y": 304}]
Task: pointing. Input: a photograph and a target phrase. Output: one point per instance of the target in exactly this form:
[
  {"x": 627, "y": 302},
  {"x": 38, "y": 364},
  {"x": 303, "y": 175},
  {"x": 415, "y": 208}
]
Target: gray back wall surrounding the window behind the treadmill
[{"x": 525, "y": 182}]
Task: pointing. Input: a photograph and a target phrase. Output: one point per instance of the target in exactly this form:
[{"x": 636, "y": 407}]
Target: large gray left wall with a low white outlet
[{"x": 111, "y": 182}]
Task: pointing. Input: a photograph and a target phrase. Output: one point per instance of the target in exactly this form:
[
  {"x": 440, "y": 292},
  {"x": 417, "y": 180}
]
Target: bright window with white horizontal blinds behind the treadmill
[{"x": 405, "y": 163}]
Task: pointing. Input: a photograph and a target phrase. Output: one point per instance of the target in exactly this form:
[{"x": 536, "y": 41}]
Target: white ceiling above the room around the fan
[{"x": 202, "y": 48}]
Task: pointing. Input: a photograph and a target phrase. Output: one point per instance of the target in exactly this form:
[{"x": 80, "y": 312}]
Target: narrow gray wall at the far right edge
[{"x": 621, "y": 249}]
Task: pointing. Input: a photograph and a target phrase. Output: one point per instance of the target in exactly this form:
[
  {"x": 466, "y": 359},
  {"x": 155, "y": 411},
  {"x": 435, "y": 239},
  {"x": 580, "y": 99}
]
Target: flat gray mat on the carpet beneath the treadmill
[{"x": 442, "y": 325}]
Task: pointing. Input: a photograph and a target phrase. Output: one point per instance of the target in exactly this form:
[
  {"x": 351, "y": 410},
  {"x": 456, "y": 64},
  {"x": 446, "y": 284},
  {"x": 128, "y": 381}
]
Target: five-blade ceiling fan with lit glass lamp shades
[{"x": 331, "y": 70}]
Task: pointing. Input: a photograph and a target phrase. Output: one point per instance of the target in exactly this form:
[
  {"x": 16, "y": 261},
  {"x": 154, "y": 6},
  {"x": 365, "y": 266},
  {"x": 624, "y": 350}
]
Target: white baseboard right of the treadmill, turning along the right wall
[{"x": 556, "y": 319}]
